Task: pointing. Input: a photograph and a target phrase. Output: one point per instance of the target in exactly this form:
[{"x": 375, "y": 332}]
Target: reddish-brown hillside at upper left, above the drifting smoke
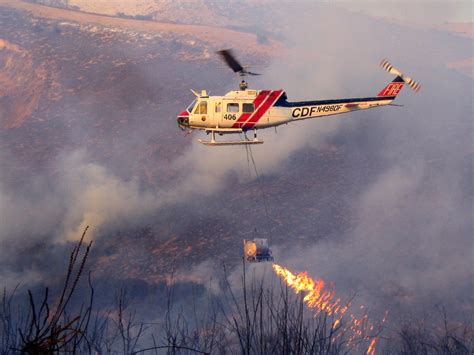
[{"x": 69, "y": 70}]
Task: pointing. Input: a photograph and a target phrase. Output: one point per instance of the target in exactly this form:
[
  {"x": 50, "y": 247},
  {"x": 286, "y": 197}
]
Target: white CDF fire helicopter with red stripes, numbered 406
[{"x": 247, "y": 109}]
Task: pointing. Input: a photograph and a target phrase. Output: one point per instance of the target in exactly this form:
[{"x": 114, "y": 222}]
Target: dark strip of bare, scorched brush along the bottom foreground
[{"x": 249, "y": 316}]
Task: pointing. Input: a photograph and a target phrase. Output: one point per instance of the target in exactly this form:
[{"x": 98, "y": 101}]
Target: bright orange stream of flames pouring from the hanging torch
[{"x": 320, "y": 298}]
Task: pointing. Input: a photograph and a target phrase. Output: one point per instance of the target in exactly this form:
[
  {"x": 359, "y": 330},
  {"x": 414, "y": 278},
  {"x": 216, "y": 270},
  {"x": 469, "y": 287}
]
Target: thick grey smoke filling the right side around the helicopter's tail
[{"x": 410, "y": 245}]
